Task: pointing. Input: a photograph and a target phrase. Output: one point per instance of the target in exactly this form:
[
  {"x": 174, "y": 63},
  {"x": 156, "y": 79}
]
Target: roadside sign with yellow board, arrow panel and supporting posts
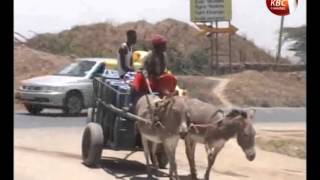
[{"x": 204, "y": 12}]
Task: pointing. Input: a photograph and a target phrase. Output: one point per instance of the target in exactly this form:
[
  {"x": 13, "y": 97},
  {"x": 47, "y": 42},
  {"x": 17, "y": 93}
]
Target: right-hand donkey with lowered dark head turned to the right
[{"x": 213, "y": 129}]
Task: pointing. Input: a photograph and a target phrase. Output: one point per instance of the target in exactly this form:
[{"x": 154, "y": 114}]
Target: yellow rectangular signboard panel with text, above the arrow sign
[{"x": 210, "y": 10}]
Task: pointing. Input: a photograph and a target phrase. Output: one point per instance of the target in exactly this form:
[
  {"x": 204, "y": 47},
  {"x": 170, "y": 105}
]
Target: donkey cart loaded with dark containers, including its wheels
[{"x": 111, "y": 125}]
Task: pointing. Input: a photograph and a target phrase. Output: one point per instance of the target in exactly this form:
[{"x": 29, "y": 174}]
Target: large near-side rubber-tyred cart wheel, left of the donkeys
[{"x": 92, "y": 144}]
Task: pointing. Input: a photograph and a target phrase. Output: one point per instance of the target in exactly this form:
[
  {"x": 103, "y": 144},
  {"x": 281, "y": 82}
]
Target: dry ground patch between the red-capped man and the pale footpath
[{"x": 199, "y": 87}]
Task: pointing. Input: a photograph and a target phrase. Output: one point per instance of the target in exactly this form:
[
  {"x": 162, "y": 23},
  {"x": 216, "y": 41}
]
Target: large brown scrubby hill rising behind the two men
[{"x": 188, "y": 51}]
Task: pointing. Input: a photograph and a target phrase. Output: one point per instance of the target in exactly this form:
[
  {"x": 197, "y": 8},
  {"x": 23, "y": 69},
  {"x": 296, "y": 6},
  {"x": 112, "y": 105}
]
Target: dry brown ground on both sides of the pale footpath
[{"x": 250, "y": 88}]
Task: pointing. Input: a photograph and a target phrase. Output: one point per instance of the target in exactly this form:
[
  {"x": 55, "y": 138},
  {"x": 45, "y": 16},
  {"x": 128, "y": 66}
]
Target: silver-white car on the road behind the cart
[{"x": 70, "y": 89}]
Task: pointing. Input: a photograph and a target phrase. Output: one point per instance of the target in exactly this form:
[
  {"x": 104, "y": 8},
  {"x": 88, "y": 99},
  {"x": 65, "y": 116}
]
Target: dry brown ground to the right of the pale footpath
[{"x": 267, "y": 89}]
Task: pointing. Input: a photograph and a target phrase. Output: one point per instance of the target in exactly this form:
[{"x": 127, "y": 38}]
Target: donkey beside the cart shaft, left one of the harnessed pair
[{"x": 172, "y": 115}]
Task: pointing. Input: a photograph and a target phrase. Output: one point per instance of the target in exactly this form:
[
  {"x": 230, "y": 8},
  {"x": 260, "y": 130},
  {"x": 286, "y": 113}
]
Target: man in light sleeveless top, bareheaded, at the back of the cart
[{"x": 125, "y": 63}]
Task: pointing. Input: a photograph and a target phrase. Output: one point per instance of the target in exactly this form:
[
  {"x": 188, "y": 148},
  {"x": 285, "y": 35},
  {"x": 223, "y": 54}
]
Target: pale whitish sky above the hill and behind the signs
[{"x": 251, "y": 17}]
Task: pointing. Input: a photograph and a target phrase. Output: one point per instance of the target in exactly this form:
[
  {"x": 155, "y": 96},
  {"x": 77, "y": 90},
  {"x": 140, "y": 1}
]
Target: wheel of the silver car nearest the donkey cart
[{"x": 73, "y": 104}]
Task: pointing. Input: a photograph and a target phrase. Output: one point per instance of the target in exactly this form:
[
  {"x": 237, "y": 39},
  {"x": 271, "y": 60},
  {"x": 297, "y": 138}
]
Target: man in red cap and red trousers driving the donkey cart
[{"x": 154, "y": 69}]
